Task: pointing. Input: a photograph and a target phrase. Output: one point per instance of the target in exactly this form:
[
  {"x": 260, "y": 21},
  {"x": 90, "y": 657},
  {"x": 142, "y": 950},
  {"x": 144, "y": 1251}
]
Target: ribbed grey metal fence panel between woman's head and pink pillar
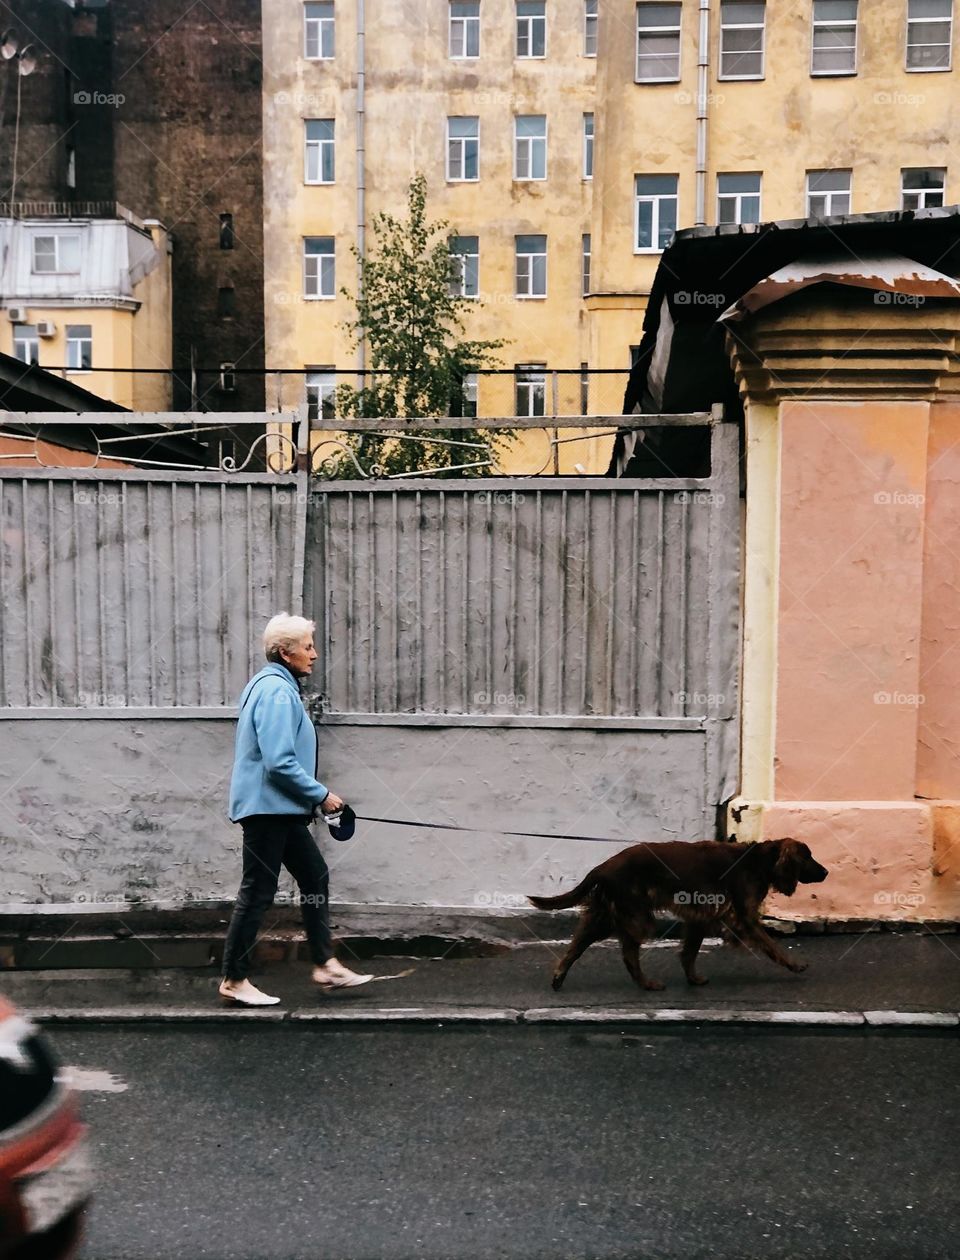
[{"x": 583, "y": 599}]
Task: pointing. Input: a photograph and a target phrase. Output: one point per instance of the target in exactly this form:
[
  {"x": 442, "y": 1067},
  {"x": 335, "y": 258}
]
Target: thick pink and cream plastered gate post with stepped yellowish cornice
[{"x": 851, "y": 723}]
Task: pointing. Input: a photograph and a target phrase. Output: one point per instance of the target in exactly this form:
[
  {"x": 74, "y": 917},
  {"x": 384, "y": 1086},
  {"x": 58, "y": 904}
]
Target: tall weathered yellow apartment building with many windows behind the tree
[{"x": 723, "y": 112}]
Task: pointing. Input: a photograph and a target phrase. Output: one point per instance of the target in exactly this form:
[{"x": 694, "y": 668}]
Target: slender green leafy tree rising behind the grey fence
[{"x": 419, "y": 358}]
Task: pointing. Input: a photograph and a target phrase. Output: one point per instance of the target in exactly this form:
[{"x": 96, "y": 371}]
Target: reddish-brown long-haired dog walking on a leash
[{"x": 707, "y": 884}]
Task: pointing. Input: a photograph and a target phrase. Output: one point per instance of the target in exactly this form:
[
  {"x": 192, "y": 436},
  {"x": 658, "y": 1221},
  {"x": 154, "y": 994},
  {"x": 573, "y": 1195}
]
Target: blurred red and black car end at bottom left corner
[{"x": 45, "y": 1159}]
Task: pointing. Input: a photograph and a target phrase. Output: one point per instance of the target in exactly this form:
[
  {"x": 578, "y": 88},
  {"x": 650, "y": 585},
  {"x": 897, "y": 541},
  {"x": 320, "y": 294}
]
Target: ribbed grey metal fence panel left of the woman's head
[{"x": 139, "y": 590}]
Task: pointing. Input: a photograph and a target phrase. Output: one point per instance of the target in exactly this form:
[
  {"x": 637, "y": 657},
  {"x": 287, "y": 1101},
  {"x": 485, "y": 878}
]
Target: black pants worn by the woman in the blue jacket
[{"x": 269, "y": 842}]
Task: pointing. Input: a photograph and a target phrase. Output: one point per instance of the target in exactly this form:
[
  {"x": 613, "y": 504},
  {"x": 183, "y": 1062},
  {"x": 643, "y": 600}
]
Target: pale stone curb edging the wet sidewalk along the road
[{"x": 503, "y": 1016}]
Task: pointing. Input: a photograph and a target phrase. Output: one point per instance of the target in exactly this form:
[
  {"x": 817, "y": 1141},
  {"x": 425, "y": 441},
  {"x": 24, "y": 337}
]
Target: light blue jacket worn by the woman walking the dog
[{"x": 275, "y": 762}]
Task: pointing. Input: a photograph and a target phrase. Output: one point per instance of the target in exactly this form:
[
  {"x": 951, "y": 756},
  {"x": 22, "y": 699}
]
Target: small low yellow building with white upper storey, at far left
[{"x": 85, "y": 288}]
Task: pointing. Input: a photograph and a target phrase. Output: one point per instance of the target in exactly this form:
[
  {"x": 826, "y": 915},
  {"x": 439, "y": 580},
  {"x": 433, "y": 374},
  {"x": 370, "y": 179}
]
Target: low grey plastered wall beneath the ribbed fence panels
[{"x": 98, "y": 813}]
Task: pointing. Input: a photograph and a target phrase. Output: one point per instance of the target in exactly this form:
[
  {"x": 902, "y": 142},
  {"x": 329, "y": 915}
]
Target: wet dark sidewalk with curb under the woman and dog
[{"x": 872, "y": 980}]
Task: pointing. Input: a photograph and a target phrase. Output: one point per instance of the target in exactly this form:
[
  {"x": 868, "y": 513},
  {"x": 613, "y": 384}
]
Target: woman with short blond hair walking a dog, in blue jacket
[{"x": 274, "y": 797}]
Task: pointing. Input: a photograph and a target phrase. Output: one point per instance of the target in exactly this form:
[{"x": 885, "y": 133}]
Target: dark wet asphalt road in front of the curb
[{"x": 313, "y": 1143}]
